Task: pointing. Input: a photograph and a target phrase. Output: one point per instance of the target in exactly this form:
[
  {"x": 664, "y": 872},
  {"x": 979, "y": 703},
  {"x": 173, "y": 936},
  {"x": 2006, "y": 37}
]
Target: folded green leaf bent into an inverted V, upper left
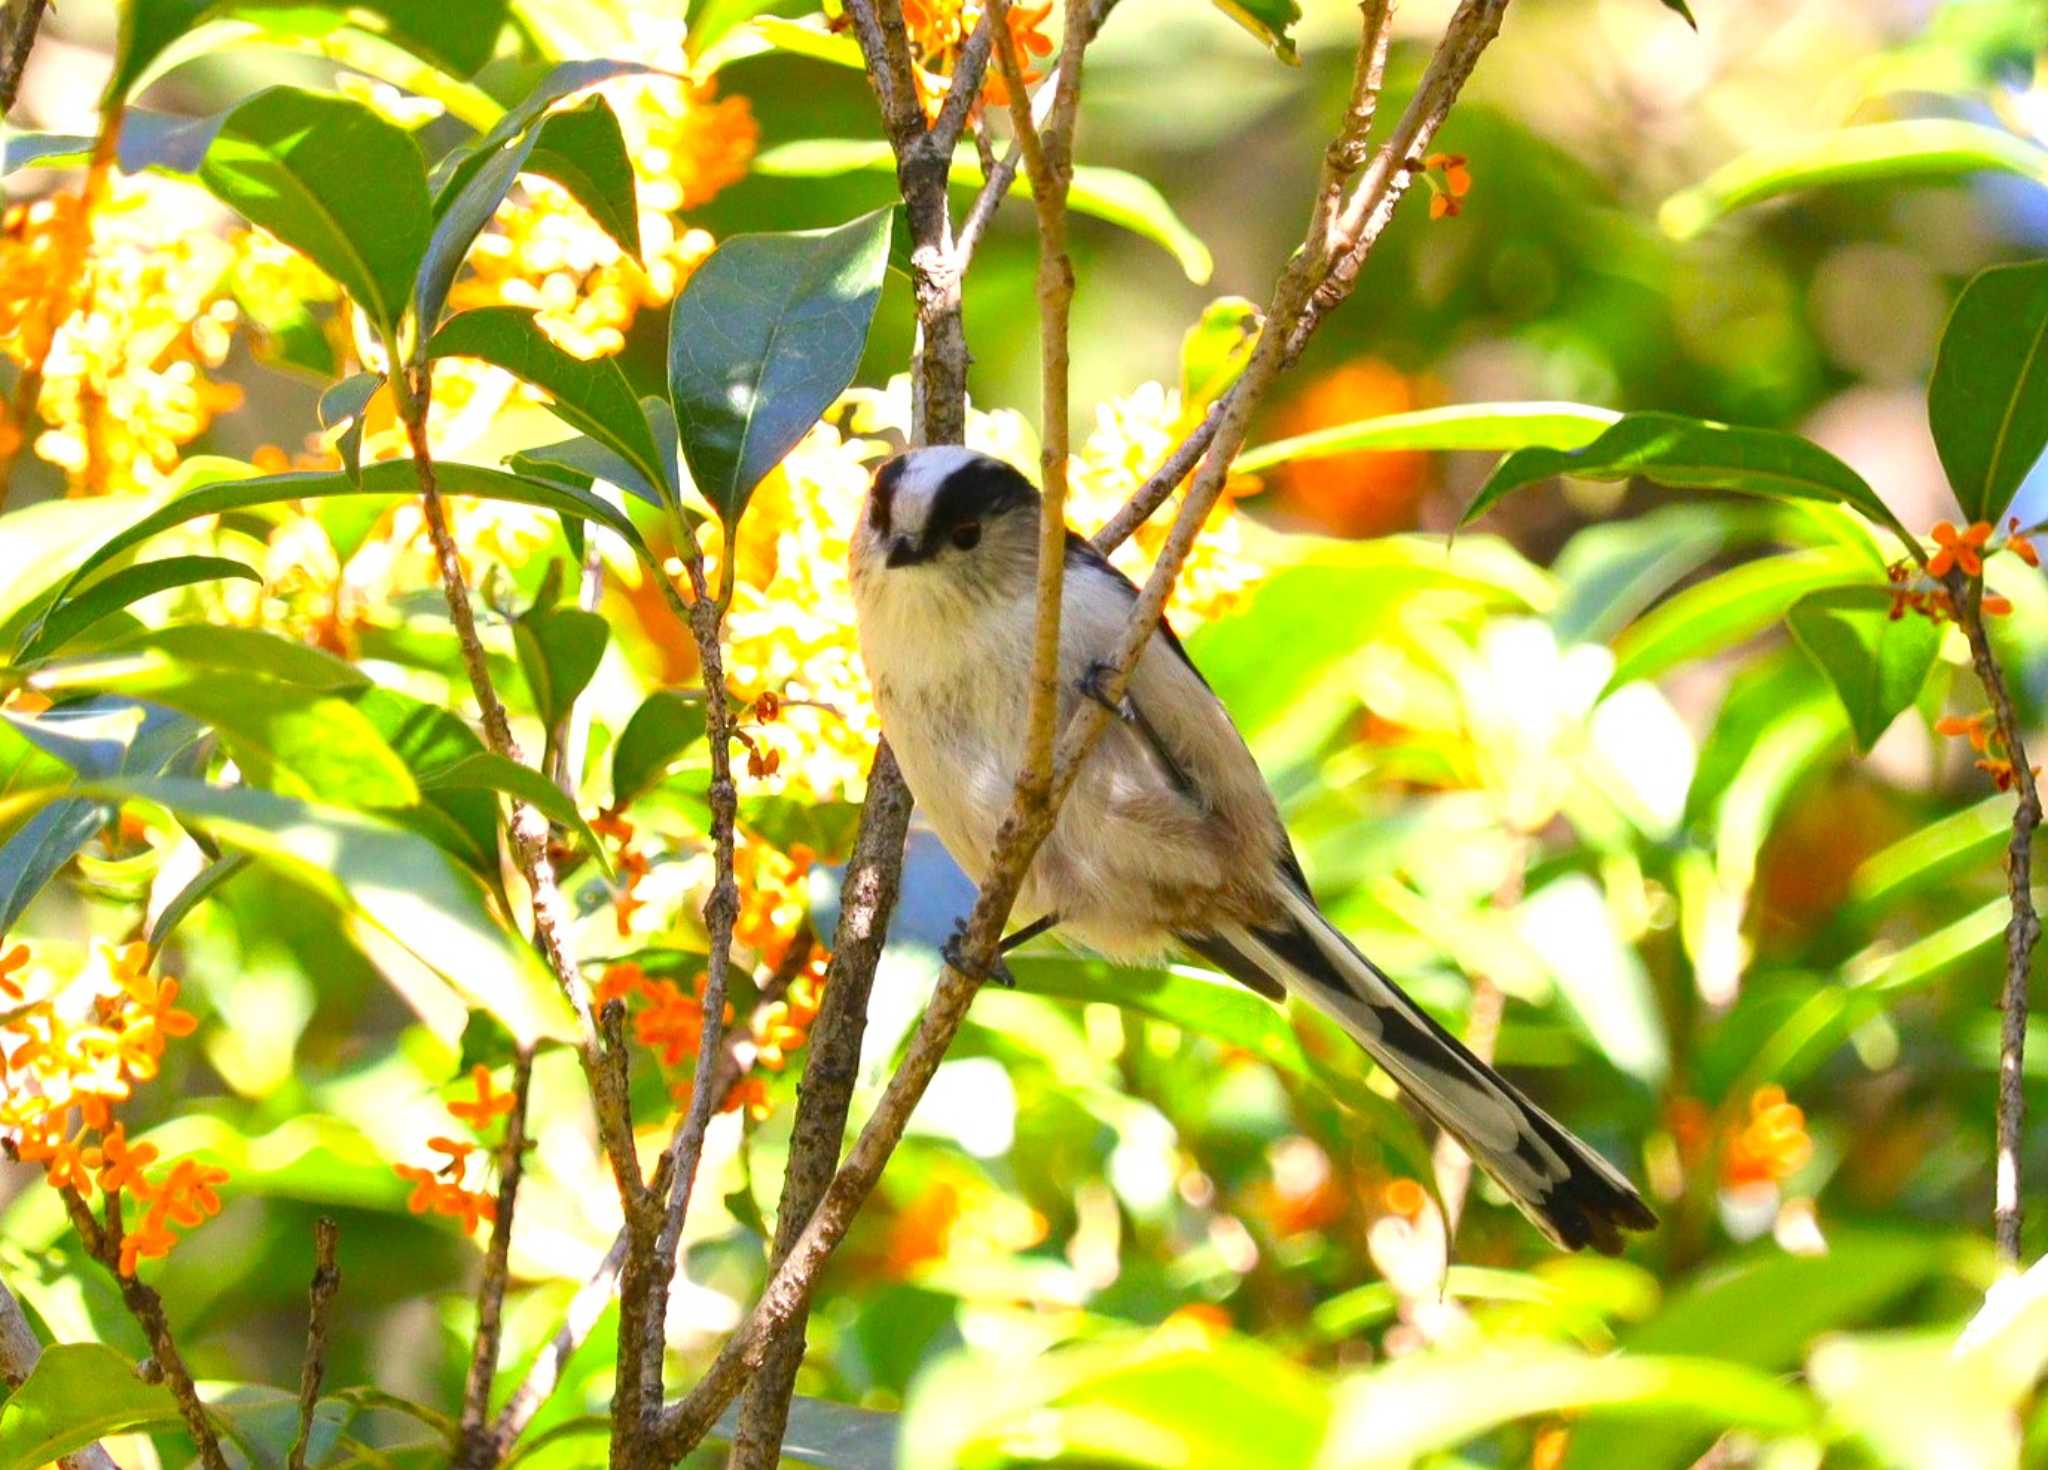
[{"x": 581, "y": 148}]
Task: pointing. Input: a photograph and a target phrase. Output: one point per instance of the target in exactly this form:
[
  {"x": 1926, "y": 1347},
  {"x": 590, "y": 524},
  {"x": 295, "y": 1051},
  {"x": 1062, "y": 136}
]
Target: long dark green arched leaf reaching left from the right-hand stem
[{"x": 1693, "y": 453}]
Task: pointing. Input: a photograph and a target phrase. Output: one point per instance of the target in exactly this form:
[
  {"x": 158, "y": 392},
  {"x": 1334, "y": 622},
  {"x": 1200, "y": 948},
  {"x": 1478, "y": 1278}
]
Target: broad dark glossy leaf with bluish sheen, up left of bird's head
[{"x": 763, "y": 341}]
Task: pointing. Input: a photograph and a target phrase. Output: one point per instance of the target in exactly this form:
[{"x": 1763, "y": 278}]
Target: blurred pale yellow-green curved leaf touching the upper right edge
[{"x": 1916, "y": 148}]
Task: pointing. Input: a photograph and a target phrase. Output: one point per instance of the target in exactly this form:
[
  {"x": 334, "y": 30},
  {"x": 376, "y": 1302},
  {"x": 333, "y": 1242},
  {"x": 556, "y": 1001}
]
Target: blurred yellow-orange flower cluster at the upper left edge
[{"x": 122, "y": 314}]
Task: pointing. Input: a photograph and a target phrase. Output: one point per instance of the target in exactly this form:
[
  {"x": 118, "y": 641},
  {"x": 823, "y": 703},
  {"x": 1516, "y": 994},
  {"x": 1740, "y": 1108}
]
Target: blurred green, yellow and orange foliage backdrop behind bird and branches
[{"x": 1568, "y": 779}]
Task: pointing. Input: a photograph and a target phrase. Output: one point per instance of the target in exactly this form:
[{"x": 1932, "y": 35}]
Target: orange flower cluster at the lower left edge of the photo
[{"x": 73, "y": 1049}]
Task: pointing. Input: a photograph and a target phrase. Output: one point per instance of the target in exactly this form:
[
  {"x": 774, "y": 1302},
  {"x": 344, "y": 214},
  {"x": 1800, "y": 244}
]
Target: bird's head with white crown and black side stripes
[{"x": 949, "y": 513}]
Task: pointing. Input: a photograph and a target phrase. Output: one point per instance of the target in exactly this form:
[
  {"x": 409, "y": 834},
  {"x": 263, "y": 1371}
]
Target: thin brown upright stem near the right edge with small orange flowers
[{"x": 2020, "y": 933}]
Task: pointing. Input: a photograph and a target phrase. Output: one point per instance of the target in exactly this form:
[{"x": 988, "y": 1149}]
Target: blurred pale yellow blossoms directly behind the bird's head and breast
[{"x": 792, "y": 625}]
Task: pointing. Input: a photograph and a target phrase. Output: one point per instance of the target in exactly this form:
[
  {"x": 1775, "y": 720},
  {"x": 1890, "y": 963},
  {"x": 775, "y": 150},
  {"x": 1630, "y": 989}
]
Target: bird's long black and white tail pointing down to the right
[{"x": 1568, "y": 1191}]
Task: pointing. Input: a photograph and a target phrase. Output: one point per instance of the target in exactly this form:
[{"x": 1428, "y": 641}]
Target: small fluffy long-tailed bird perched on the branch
[{"x": 1170, "y": 838}]
